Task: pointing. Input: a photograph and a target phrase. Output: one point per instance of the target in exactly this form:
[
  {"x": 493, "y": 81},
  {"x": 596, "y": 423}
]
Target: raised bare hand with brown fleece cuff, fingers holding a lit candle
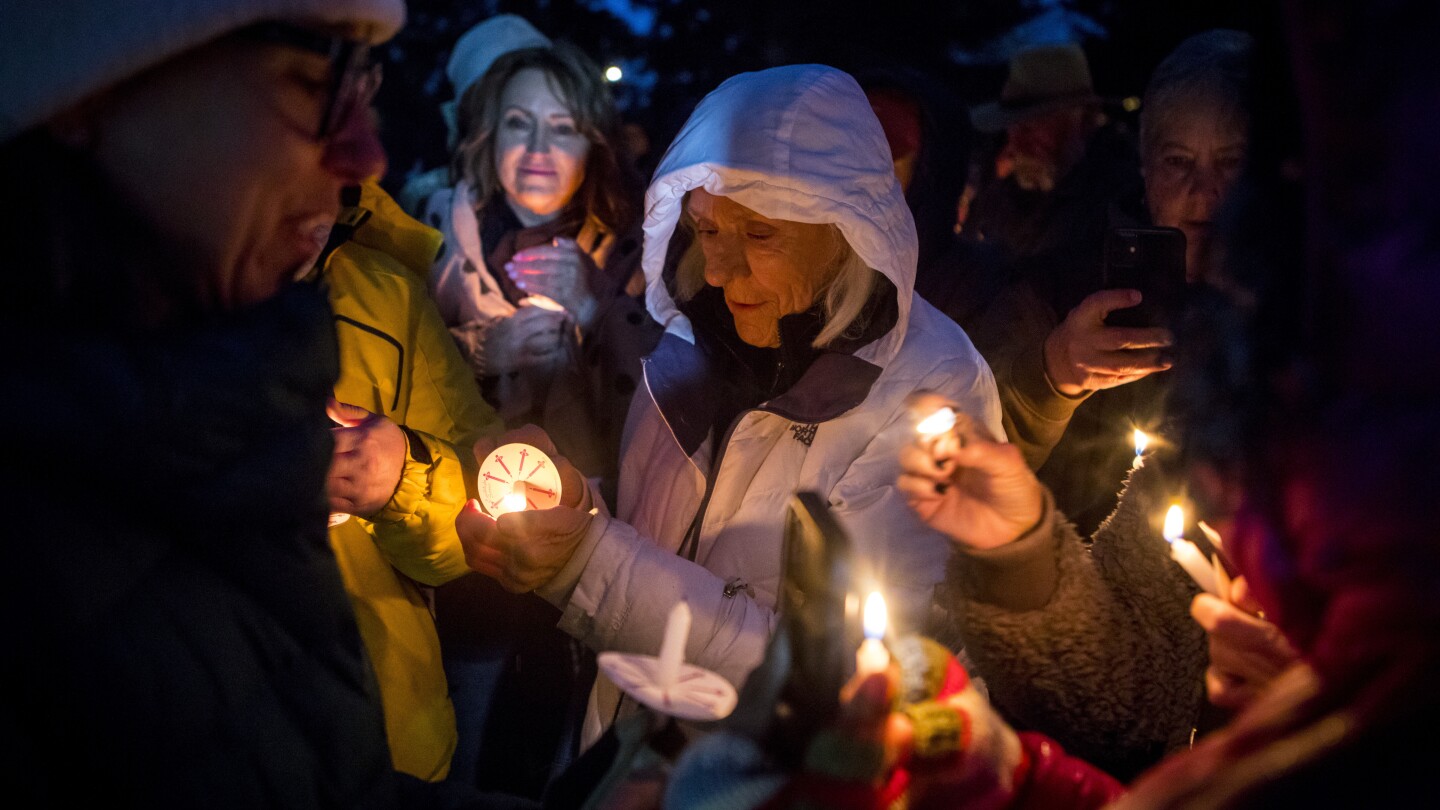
[{"x": 970, "y": 486}]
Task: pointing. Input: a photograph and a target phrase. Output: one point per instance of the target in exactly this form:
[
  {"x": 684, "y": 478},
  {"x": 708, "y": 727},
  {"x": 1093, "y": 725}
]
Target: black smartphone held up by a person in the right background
[{"x": 1151, "y": 260}]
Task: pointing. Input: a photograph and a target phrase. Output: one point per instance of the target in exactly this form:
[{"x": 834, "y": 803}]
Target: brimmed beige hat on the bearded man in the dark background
[{"x": 1042, "y": 80}]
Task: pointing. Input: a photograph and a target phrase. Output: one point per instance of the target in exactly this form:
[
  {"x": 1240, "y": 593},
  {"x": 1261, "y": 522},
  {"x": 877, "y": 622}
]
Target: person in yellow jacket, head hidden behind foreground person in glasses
[{"x": 408, "y": 413}]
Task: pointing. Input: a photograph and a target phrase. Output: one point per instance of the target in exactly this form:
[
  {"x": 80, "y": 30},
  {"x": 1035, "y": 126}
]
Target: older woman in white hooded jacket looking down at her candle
[{"x": 781, "y": 257}]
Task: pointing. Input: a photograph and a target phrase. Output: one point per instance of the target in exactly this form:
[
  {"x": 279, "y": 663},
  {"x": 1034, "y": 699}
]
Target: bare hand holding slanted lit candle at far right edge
[{"x": 1246, "y": 652}]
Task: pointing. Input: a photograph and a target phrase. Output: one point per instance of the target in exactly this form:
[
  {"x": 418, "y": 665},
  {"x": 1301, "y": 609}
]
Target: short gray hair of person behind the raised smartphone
[{"x": 1209, "y": 68}]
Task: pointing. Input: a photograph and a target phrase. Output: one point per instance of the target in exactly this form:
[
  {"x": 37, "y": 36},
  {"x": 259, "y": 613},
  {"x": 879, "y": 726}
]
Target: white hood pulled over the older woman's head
[{"x": 797, "y": 143}]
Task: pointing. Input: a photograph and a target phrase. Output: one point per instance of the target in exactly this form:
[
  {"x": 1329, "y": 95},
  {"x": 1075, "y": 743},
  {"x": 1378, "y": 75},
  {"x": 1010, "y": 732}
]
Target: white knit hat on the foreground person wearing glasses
[{"x": 57, "y": 53}]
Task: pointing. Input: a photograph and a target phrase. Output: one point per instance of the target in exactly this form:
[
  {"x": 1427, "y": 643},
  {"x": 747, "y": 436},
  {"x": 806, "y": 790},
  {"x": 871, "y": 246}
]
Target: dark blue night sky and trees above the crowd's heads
[{"x": 676, "y": 51}]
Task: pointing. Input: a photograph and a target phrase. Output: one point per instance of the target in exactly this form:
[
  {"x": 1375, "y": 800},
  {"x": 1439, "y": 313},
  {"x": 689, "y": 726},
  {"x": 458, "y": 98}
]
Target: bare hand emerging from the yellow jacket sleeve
[{"x": 368, "y": 460}]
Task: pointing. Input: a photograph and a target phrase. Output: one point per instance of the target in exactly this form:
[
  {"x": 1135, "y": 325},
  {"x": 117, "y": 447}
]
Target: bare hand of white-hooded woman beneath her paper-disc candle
[{"x": 522, "y": 550}]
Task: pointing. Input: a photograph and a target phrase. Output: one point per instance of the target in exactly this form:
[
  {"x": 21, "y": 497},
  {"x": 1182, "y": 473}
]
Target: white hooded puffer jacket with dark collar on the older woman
[{"x": 797, "y": 143}]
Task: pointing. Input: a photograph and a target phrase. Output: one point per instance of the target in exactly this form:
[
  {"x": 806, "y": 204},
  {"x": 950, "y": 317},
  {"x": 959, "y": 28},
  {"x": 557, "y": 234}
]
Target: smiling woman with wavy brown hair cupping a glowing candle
[{"x": 539, "y": 280}]
